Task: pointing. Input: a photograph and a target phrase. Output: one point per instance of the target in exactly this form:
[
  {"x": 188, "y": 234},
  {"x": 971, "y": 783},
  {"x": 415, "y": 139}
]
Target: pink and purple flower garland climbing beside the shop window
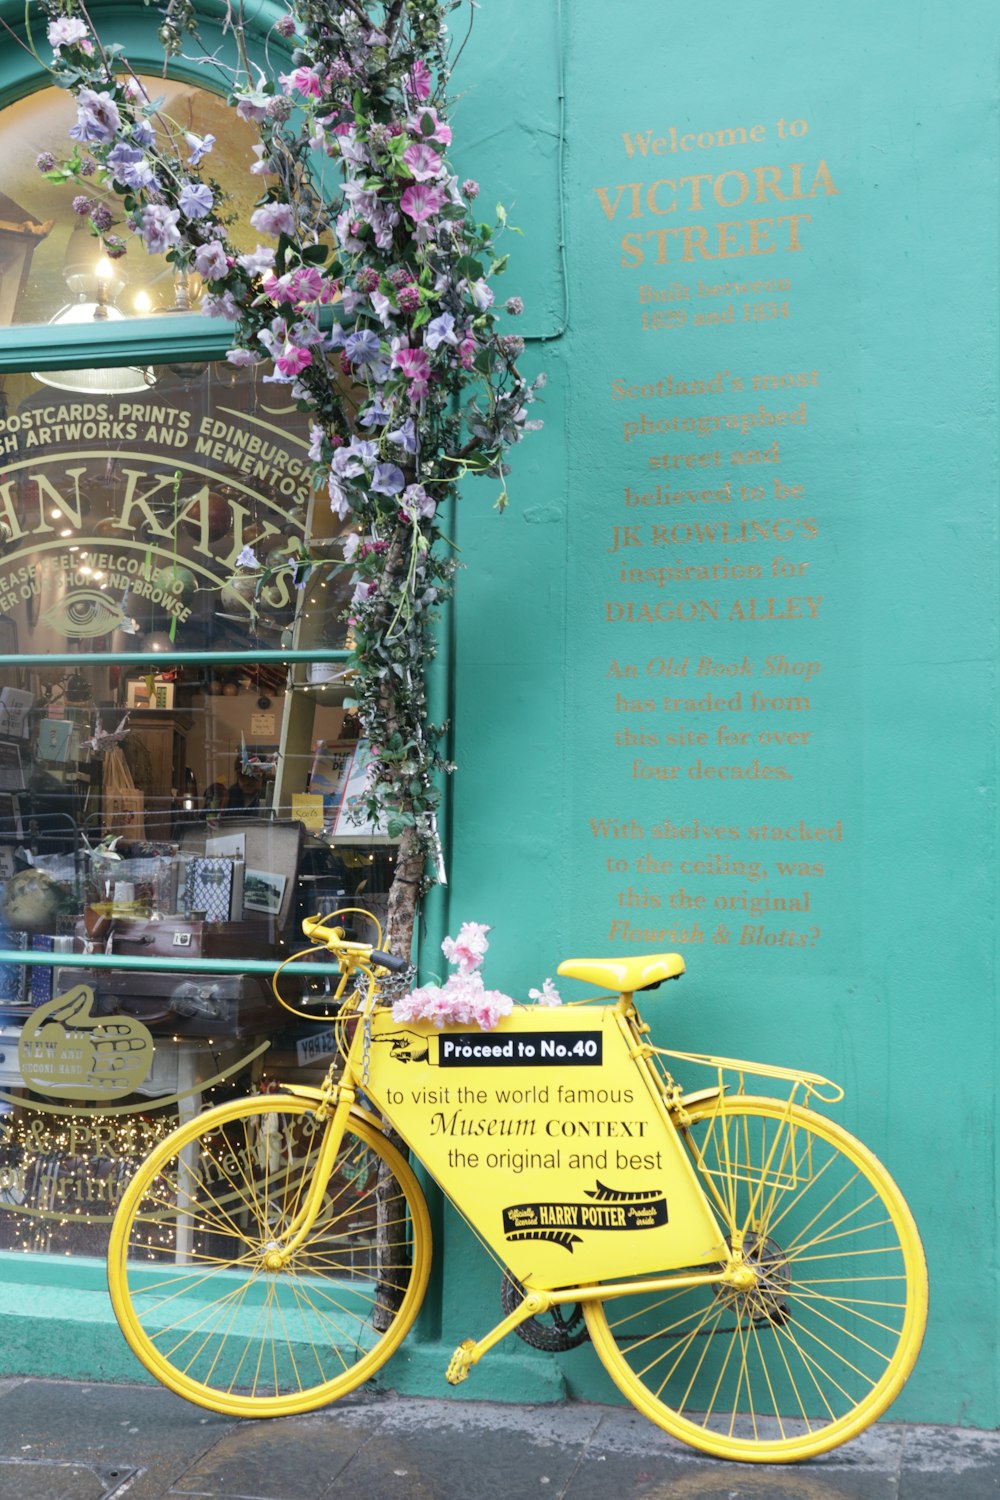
[{"x": 373, "y": 301}]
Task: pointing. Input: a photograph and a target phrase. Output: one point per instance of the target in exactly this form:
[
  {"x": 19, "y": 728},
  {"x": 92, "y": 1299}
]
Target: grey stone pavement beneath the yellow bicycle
[{"x": 68, "y": 1441}]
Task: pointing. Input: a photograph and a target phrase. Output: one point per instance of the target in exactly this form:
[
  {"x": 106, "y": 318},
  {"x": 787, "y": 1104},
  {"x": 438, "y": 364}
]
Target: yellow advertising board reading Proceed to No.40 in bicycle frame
[{"x": 549, "y": 1141}]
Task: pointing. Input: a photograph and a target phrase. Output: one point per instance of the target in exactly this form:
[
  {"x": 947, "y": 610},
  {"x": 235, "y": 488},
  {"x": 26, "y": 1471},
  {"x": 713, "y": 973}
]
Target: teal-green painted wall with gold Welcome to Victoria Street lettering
[{"x": 893, "y": 304}]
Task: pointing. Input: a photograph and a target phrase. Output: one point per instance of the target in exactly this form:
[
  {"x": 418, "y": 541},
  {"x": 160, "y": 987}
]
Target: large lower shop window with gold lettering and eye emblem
[{"x": 155, "y": 809}]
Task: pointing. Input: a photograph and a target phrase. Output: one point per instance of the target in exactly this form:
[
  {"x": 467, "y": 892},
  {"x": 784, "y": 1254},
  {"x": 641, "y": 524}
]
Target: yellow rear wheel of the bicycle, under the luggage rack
[{"x": 824, "y": 1340}]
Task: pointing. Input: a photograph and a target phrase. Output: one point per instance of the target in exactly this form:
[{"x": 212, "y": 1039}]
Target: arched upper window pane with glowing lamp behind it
[{"x": 50, "y": 263}]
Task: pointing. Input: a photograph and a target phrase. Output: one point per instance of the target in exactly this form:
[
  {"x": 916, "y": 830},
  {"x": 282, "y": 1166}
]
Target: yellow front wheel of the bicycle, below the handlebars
[{"x": 188, "y": 1259}]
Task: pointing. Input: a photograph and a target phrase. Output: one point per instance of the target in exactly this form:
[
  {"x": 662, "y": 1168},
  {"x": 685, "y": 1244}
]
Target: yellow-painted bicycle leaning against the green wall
[{"x": 747, "y": 1271}]
